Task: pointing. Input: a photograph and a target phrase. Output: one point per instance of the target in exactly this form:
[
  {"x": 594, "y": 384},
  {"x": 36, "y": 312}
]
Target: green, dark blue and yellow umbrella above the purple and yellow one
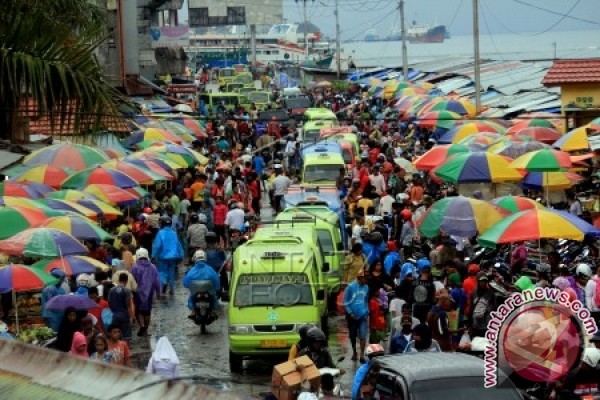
[{"x": 477, "y": 167}]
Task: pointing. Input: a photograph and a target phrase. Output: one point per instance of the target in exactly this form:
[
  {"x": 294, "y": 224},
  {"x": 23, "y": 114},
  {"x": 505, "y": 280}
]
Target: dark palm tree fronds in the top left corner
[{"x": 48, "y": 65}]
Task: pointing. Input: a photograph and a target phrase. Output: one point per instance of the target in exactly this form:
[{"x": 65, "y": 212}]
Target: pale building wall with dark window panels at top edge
[{"x": 206, "y": 13}]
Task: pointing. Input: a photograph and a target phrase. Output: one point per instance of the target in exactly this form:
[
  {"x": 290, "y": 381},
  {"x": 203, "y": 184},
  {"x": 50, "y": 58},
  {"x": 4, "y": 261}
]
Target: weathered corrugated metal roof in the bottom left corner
[{"x": 35, "y": 367}]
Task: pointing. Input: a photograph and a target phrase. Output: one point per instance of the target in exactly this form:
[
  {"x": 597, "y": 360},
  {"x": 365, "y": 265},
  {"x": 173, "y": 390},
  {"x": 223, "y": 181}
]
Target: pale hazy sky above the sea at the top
[{"x": 496, "y": 16}]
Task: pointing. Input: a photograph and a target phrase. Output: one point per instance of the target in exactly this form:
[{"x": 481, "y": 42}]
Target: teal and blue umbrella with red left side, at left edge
[{"x": 42, "y": 242}]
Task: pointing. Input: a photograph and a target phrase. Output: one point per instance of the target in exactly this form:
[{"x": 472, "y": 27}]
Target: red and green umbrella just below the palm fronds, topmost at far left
[{"x": 73, "y": 156}]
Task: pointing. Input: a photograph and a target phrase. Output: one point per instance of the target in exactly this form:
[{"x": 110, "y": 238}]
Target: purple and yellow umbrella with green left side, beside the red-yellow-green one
[{"x": 460, "y": 216}]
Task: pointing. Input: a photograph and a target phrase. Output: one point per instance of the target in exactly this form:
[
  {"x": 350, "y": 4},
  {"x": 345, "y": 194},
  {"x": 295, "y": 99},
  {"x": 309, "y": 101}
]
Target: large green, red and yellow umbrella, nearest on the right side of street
[{"x": 532, "y": 224}]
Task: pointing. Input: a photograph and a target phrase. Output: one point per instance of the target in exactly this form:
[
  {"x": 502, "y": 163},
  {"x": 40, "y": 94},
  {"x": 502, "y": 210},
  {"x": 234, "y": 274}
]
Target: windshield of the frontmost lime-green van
[{"x": 275, "y": 289}]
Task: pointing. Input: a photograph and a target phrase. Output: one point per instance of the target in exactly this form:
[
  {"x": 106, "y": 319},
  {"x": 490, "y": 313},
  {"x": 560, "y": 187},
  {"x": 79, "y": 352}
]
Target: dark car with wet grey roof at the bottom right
[{"x": 433, "y": 376}]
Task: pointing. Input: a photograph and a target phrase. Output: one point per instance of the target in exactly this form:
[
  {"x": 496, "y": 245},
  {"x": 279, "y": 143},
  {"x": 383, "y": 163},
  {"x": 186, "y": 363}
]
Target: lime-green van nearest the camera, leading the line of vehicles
[{"x": 277, "y": 285}]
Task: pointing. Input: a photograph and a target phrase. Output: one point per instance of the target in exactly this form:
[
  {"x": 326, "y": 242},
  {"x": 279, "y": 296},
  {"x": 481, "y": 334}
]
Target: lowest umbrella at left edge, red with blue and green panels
[{"x": 21, "y": 278}]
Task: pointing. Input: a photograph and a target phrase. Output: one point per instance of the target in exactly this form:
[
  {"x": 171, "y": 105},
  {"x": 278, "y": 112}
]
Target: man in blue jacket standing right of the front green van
[{"x": 356, "y": 298}]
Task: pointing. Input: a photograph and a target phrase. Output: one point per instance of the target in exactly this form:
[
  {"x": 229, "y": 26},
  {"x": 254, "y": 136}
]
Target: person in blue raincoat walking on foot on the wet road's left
[{"x": 167, "y": 250}]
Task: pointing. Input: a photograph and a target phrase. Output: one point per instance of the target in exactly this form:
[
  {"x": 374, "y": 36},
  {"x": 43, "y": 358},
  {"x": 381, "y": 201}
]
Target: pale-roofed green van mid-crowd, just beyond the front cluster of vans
[{"x": 321, "y": 168}]
